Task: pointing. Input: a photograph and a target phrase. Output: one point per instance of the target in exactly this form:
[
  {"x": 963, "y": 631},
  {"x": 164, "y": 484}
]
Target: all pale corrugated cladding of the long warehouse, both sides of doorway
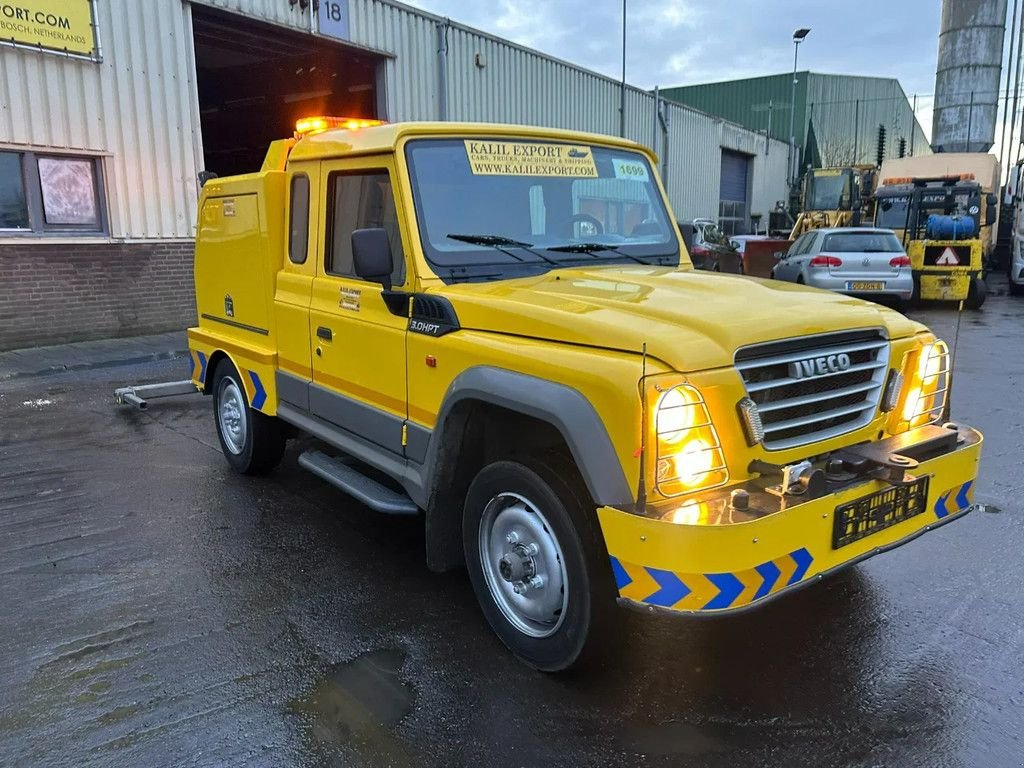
[{"x": 137, "y": 106}]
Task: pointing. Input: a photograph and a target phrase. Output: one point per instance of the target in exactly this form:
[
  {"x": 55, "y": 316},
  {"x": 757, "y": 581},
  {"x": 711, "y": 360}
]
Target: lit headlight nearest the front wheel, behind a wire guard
[{"x": 689, "y": 453}]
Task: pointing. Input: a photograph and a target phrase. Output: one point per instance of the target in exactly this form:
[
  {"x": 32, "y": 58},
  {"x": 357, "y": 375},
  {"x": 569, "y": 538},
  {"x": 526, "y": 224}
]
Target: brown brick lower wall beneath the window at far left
[{"x": 55, "y": 293}]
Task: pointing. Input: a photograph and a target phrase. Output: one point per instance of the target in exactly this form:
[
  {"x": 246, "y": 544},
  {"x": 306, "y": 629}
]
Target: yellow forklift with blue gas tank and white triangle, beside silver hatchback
[{"x": 942, "y": 221}]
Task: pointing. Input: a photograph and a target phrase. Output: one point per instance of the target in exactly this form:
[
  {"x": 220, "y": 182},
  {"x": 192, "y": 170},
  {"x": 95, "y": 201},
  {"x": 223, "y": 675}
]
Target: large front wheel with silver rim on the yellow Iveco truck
[{"x": 534, "y": 556}]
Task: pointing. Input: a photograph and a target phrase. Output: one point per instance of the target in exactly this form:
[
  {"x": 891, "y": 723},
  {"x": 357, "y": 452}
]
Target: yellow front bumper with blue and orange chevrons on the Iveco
[{"x": 730, "y": 567}]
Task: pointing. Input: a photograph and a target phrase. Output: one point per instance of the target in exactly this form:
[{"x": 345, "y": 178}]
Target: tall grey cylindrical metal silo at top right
[{"x": 967, "y": 76}]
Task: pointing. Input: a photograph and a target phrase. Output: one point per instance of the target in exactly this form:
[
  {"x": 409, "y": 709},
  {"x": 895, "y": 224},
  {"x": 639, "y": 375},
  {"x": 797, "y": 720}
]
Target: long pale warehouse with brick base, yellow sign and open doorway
[{"x": 110, "y": 109}]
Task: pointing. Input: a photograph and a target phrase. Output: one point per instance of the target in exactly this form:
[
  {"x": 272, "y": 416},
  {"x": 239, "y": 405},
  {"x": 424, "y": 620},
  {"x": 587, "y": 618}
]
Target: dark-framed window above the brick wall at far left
[{"x": 41, "y": 194}]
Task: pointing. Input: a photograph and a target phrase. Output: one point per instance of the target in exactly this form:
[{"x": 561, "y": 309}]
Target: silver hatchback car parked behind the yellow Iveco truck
[{"x": 855, "y": 261}]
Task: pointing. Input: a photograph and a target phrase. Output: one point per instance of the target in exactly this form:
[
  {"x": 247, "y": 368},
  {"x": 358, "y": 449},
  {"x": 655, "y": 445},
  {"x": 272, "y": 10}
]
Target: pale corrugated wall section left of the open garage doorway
[{"x": 134, "y": 108}]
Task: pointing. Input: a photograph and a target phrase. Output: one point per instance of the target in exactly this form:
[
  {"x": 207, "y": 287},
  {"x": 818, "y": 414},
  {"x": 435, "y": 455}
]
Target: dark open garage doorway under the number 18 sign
[{"x": 257, "y": 79}]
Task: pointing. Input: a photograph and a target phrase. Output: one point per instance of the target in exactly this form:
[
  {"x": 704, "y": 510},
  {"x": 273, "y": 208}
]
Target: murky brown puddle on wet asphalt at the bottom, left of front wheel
[{"x": 359, "y": 702}]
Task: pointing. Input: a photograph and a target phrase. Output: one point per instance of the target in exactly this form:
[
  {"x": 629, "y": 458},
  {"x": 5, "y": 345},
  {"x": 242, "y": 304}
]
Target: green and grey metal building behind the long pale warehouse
[{"x": 837, "y": 117}]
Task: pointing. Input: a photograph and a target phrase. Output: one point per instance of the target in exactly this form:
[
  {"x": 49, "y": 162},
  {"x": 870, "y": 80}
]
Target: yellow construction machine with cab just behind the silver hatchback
[{"x": 840, "y": 196}]
